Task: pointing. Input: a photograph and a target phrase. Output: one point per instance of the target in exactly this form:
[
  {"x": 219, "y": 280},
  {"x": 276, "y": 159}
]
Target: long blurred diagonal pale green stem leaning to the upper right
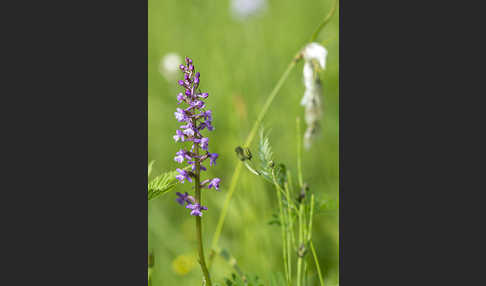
[{"x": 256, "y": 125}]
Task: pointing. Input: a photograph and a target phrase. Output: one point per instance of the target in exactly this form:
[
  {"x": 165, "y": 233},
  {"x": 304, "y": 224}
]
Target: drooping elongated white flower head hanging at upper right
[{"x": 315, "y": 58}]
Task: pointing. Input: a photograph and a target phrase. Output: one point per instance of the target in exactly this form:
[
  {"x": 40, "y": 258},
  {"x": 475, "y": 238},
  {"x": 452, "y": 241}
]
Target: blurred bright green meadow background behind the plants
[{"x": 240, "y": 61}]
